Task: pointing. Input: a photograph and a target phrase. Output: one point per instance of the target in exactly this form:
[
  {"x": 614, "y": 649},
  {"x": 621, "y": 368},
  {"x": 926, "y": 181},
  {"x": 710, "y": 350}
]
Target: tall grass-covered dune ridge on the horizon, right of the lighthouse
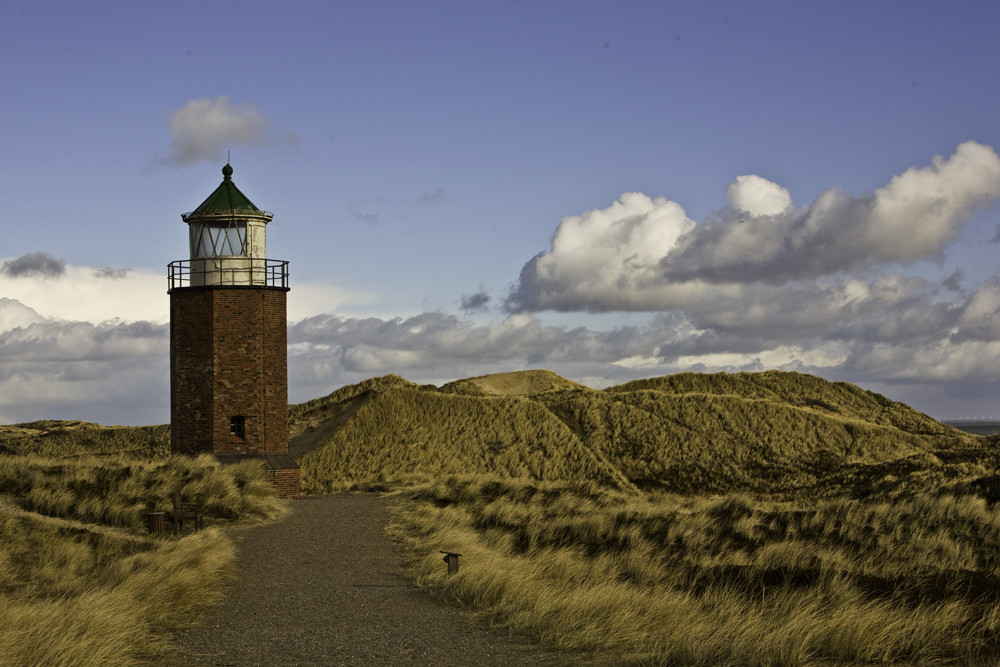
[{"x": 687, "y": 433}]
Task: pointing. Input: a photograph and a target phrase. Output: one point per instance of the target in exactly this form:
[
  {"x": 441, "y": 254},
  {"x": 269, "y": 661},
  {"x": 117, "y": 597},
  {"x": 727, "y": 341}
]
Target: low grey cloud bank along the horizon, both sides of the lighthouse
[{"x": 905, "y": 338}]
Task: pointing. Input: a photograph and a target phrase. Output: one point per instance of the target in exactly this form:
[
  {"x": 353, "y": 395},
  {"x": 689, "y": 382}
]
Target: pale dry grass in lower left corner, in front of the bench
[{"x": 71, "y": 594}]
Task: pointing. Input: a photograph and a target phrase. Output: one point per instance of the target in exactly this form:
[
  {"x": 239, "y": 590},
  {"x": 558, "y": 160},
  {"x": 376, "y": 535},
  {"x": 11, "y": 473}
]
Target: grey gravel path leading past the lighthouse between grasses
[{"x": 325, "y": 585}]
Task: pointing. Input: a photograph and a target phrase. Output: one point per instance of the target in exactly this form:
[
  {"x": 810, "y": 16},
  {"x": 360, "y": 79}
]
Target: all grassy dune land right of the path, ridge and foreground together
[{"x": 748, "y": 519}]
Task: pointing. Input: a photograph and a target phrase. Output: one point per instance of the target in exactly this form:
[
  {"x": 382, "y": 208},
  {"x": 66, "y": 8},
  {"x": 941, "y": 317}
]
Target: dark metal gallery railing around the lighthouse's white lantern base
[{"x": 226, "y": 271}]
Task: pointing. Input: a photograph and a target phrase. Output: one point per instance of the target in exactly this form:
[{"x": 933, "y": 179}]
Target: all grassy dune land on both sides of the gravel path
[{"x": 747, "y": 519}]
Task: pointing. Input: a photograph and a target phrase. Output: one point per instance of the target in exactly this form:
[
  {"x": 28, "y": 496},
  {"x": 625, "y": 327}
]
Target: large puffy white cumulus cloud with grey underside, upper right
[{"x": 645, "y": 254}]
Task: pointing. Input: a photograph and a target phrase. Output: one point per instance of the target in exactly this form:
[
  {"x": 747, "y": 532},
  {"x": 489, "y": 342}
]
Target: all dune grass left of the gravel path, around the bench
[{"x": 81, "y": 583}]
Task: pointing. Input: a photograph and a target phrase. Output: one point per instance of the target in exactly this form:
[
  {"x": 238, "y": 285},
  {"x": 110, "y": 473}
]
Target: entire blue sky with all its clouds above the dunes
[{"x": 610, "y": 190}]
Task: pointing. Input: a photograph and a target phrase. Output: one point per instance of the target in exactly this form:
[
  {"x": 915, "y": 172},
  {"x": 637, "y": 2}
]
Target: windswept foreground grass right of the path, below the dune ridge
[{"x": 730, "y": 580}]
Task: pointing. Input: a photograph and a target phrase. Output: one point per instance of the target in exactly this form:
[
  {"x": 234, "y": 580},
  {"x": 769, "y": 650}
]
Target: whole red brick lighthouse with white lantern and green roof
[{"x": 228, "y": 339}]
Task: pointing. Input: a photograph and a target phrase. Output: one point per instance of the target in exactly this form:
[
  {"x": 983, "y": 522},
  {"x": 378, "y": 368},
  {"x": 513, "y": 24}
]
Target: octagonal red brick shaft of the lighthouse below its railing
[{"x": 228, "y": 357}]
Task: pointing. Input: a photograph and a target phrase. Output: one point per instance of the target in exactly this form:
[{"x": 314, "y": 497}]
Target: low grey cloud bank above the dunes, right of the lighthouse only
[{"x": 892, "y": 331}]
